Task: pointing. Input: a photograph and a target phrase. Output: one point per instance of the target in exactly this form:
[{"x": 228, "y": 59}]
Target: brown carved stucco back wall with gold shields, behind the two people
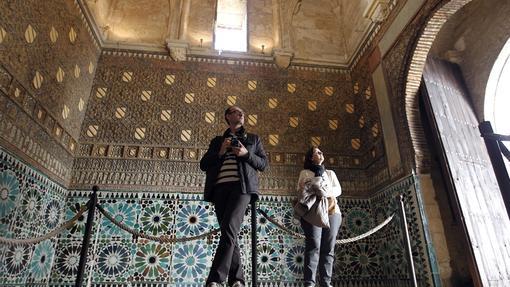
[{"x": 164, "y": 114}]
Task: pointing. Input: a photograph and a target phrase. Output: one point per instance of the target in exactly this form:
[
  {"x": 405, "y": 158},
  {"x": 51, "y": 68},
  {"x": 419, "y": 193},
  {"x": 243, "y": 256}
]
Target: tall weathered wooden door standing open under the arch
[{"x": 474, "y": 183}]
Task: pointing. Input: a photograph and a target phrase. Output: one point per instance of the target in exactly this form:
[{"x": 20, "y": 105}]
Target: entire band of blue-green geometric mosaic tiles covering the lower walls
[{"x": 115, "y": 256}]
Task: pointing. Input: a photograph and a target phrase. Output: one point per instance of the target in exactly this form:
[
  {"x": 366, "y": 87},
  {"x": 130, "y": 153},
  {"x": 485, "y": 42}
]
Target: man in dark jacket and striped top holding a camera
[{"x": 231, "y": 164}]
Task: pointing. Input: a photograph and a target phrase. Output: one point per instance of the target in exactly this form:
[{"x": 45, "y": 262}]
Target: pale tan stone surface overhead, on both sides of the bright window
[{"x": 322, "y": 32}]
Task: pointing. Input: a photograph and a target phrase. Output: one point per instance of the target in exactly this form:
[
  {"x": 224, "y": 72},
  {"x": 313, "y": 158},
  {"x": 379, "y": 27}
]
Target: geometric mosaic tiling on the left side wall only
[{"x": 30, "y": 205}]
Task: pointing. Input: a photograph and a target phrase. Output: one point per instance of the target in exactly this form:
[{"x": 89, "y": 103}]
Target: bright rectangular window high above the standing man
[{"x": 230, "y": 29}]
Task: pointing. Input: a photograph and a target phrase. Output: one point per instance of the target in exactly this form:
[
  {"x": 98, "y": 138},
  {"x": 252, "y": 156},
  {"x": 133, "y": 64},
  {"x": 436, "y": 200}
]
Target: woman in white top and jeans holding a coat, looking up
[{"x": 319, "y": 241}]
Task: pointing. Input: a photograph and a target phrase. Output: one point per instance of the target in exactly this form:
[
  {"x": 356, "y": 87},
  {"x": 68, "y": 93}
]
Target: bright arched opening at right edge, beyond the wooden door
[{"x": 497, "y": 99}]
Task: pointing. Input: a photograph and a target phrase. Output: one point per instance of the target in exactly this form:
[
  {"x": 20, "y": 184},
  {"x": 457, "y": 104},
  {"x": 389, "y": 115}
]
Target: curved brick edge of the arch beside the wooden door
[{"x": 414, "y": 73}]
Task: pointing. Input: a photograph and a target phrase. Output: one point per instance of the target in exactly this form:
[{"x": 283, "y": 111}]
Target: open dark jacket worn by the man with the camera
[{"x": 247, "y": 166}]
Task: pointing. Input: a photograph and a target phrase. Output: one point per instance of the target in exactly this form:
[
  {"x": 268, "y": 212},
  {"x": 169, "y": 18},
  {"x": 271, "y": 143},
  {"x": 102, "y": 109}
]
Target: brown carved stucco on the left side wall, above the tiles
[{"x": 47, "y": 64}]
